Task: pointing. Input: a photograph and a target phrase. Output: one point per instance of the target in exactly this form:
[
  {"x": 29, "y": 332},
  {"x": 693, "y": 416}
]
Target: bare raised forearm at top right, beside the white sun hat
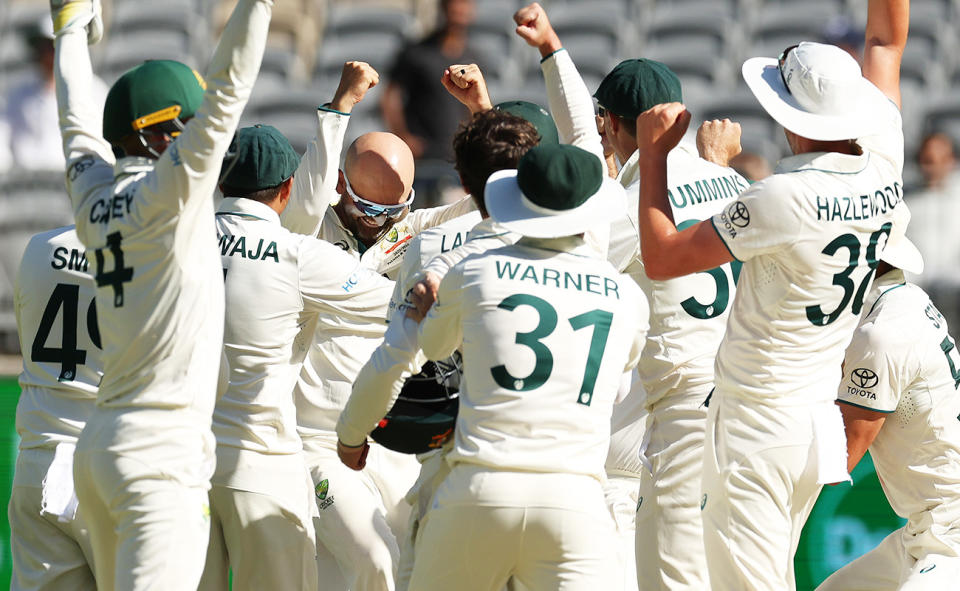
[{"x": 887, "y": 24}]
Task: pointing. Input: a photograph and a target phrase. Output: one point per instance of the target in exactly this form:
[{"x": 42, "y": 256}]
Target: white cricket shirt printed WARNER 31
[{"x": 547, "y": 330}]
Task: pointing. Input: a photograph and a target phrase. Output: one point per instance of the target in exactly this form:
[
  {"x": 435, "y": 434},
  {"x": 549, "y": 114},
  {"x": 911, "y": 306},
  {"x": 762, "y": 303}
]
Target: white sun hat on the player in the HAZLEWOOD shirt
[{"x": 816, "y": 91}]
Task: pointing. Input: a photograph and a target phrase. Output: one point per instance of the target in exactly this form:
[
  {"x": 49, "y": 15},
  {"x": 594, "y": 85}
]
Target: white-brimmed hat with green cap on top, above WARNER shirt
[{"x": 556, "y": 190}]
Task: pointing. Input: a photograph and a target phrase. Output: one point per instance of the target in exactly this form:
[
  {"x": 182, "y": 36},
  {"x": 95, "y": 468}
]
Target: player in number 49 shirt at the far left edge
[{"x": 60, "y": 340}]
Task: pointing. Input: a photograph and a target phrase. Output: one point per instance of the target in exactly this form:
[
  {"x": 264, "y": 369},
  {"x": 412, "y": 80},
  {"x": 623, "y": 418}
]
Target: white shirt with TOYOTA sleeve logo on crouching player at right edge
[{"x": 903, "y": 362}]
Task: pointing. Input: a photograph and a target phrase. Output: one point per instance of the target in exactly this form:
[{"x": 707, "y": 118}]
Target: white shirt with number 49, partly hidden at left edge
[{"x": 59, "y": 339}]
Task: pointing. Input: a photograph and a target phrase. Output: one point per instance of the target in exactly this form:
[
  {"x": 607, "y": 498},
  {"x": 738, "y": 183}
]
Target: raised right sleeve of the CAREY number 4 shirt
[{"x": 190, "y": 167}]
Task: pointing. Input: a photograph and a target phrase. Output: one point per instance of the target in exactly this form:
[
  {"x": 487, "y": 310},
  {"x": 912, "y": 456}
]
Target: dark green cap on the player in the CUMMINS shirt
[{"x": 636, "y": 85}]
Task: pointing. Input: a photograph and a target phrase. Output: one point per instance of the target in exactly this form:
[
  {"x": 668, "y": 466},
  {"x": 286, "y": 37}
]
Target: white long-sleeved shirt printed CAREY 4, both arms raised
[{"x": 148, "y": 227}]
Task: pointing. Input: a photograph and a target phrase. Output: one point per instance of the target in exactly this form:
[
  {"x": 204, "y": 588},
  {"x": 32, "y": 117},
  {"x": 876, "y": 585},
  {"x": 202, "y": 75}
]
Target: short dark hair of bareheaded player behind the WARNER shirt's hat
[{"x": 491, "y": 141}]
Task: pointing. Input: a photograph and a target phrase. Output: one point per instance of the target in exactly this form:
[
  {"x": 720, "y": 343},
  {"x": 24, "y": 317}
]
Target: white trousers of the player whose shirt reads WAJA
[{"x": 267, "y": 540}]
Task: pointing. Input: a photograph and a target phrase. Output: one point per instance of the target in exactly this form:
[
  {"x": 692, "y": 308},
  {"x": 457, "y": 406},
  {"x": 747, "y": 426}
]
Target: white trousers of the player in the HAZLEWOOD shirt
[{"x": 759, "y": 484}]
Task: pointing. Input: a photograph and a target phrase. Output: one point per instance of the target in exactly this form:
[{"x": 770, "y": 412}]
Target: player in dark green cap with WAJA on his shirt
[{"x": 261, "y": 495}]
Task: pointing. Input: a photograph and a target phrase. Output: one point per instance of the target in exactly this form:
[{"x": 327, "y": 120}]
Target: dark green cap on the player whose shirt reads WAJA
[{"x": 260, "y": 158}]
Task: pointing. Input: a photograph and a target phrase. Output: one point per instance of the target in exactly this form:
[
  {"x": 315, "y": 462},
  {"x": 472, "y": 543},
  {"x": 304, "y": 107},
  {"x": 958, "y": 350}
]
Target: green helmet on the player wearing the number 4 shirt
[{"x": 154, "y": 92}]
